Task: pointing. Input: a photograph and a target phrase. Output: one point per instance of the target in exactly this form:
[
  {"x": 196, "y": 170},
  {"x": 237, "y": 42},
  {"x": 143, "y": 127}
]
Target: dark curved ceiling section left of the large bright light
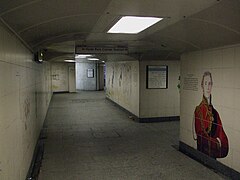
[{"x": 39, "y": 21}]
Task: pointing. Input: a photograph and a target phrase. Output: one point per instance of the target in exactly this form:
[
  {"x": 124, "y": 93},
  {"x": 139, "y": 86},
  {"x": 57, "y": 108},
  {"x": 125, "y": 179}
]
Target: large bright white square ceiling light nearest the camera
[{"x": 133, "y": 24}]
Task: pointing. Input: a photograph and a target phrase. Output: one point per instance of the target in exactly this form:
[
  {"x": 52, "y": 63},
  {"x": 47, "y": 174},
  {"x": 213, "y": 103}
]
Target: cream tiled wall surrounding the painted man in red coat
[{"x": 224, "y": 64}]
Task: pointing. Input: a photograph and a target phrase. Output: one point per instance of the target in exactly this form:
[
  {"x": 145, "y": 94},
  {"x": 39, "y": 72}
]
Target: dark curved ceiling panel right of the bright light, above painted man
[{"x": 195, "y": 35}]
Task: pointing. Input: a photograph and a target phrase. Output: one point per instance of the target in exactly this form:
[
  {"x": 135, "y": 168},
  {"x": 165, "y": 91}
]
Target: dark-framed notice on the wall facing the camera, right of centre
[{"x": 157, "y": 77}]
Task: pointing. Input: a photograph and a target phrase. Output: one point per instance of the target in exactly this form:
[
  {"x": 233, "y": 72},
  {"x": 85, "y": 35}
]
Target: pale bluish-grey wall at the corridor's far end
[{"x": 83, "y": 82}]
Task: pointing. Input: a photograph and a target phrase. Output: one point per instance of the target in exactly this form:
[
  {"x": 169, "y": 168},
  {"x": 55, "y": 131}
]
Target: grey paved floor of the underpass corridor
[{"x": 90, "y": 138}]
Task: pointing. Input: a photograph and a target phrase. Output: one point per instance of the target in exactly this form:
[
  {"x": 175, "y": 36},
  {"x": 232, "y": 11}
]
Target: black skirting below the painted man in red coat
[{"x": 208, "y": 161}]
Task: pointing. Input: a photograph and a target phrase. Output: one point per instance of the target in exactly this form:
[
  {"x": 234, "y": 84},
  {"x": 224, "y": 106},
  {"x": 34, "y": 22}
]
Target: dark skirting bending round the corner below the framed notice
[{"x": 146, "y": 120}]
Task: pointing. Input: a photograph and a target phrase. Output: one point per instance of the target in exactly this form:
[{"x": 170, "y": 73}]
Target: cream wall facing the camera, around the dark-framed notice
[{"x": 160, "y": 102}]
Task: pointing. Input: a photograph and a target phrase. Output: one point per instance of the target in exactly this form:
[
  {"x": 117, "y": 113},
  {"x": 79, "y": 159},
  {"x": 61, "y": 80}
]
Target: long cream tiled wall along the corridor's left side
[{"x": 25, "y": 93}]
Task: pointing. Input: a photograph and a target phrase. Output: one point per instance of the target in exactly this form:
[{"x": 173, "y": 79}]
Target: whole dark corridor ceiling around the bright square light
[{"x": 59, "y": 25}]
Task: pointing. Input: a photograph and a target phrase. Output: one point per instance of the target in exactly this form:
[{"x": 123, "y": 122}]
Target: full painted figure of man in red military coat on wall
[{"x": 208, "y": 130}]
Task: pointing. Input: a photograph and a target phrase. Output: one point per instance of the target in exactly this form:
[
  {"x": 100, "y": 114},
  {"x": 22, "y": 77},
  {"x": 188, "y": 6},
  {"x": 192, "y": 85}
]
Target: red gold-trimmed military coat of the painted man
[{"x": 211, "y": 138}]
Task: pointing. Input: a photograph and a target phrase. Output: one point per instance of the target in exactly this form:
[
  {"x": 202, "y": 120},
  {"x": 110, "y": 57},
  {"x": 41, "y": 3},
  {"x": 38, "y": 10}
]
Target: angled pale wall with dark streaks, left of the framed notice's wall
[{"x": 122, "y": 84}]
